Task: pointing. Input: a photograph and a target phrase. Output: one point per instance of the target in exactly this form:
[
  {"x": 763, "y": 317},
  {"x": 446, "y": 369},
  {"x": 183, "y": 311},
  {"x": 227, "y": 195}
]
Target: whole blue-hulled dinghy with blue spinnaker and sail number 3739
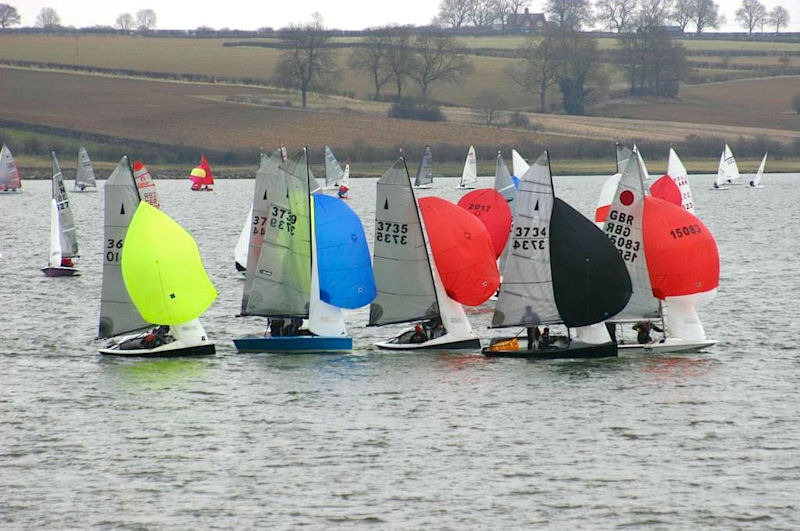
[{"x": 308, "y": 259}]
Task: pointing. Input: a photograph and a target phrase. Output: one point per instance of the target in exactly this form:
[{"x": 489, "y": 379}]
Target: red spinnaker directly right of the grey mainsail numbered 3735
[{"x": 462, "y": 251}]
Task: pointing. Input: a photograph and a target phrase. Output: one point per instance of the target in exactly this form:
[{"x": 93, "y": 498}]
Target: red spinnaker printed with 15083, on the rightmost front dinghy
[{"x": 682, "y": 256}]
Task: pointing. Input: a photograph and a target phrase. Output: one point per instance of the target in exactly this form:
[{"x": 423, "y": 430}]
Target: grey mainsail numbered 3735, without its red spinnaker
[{"x": 400, "y": 262}]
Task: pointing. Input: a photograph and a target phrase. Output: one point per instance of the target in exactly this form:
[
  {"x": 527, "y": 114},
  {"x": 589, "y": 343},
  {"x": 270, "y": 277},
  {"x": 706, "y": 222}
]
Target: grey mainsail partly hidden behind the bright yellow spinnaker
[{"x": 117, "y": 313}]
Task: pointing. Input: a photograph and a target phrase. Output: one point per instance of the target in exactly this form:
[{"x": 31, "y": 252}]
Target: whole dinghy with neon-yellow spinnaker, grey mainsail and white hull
[{"x": 152, "y": 275}]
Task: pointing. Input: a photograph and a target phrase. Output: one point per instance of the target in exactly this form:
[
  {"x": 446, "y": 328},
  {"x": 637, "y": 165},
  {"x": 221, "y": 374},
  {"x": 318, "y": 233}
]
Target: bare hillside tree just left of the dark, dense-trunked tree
[{"x": 535, "y": 72}]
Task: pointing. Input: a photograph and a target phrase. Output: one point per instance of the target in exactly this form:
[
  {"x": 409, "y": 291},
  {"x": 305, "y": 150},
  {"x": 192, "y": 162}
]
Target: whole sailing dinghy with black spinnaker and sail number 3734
[{"x": 561, "y": 270}]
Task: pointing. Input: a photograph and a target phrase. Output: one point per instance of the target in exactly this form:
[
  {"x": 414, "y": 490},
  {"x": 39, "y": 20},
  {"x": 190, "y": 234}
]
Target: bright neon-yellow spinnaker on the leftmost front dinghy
[{"x": 162, "y": 269}]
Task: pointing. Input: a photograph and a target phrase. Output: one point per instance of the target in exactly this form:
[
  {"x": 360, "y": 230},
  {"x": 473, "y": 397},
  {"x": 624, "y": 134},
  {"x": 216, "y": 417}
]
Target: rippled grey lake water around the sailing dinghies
[{"x": 433, "y": 440}]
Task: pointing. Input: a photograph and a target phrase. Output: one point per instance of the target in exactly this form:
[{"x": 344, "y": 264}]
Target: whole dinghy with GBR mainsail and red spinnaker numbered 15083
[{"x": 672, "y": 260}]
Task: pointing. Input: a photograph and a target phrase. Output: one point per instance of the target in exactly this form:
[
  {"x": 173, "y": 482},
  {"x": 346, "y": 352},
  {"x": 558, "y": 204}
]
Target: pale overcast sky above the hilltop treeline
[{"x": 250, "y": 14}]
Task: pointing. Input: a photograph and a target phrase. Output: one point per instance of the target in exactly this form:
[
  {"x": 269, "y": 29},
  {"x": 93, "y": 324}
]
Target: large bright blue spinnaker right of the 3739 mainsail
[{"x": 343, "y": 261}]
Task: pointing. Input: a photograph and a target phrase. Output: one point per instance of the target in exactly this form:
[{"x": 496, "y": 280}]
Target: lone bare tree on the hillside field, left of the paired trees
[{"x": 307, "y": 63}]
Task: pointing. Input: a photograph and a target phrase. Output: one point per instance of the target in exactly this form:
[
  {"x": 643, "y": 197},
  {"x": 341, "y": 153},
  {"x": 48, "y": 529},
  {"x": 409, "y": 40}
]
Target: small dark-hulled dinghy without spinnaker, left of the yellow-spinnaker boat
[{"x": 63, "y": 236}]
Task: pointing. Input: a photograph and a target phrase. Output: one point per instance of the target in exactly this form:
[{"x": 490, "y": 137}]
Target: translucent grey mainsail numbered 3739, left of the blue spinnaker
[{"x": 282, "y": 277}]
